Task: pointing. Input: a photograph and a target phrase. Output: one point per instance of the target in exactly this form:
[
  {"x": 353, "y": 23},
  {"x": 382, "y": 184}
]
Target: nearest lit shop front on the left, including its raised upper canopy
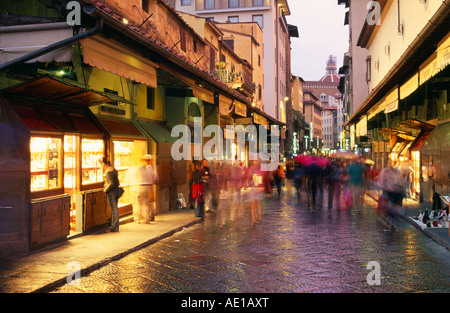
[{"x": 64, "y": 180}]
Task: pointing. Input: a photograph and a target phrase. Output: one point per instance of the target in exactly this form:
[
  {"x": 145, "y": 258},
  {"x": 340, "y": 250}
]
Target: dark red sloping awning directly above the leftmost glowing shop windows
[{"x": 40, "y": 117}]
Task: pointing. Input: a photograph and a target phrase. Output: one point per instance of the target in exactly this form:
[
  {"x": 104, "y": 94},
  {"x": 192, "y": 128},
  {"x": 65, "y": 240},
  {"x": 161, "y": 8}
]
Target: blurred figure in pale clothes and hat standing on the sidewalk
[{"x": 141, "y": 180}]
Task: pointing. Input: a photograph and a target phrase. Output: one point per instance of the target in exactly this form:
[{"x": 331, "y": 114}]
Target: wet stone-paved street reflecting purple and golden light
[{"x": 291, "y": 249}]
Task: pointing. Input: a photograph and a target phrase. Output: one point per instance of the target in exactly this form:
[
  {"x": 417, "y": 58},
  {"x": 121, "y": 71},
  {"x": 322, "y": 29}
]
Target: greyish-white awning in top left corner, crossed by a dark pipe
[{"x": 20, "y": 40}]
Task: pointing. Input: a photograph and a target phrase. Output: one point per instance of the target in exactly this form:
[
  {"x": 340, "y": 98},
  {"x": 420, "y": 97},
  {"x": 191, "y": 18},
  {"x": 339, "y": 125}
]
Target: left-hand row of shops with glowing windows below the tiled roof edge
[{"x": 63, "y": 112}]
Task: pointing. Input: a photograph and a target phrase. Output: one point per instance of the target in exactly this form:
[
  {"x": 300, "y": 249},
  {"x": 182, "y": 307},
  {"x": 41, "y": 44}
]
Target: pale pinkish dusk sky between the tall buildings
[{"x": 322, "y": 33}]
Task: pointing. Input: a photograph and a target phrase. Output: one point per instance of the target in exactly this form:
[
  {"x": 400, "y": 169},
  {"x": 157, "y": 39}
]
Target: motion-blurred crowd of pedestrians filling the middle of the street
[{"x": 344, "y": 181}]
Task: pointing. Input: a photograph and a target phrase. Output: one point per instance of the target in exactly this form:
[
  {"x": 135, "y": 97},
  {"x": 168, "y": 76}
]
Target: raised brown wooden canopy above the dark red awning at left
[{"x": 49, "y": 89}]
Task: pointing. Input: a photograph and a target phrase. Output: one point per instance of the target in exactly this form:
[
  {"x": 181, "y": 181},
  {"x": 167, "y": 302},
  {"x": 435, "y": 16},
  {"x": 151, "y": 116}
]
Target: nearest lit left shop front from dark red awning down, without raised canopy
[{"x": 65, "y": 173}]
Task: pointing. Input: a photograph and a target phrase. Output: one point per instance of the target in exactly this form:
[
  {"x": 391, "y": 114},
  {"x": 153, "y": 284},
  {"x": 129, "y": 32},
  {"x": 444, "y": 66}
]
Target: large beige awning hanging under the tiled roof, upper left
[{"x": 106, "y": 55}]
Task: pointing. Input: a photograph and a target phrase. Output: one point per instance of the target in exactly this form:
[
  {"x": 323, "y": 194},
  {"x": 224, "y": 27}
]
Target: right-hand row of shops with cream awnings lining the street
[{"x": 410, "y": 125}]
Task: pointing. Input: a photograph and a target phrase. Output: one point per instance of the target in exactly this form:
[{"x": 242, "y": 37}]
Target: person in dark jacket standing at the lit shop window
[{"x": 111, "y": 188}]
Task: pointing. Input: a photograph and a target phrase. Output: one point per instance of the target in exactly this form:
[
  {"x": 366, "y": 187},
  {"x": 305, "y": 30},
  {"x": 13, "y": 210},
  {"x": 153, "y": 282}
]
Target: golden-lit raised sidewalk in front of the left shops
[{"x": 42, "y": 270}]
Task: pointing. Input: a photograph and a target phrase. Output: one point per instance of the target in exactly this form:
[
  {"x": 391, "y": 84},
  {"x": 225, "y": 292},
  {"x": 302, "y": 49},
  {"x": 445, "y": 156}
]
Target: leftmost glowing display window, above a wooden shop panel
[{"x": 46, "y": 163}]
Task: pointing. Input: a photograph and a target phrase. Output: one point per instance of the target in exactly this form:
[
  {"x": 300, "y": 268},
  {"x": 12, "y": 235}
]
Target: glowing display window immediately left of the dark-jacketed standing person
[{"x": 92, "y": 150}]
